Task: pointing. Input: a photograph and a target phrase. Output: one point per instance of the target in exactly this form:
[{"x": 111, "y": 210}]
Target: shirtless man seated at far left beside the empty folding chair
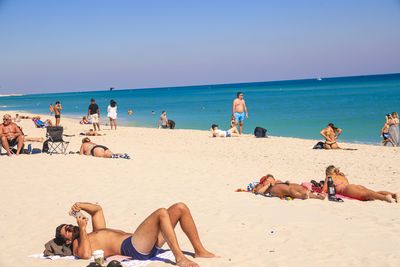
[{"x": 11, "y": 135}]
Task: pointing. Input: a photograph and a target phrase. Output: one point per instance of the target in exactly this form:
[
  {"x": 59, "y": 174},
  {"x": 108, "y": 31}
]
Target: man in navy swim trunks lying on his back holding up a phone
[{"x": 143, "y": 244}]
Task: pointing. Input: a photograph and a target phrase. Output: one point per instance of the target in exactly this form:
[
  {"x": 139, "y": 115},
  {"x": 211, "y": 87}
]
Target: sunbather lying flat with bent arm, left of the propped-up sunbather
[{"x": 277, "y": 188}]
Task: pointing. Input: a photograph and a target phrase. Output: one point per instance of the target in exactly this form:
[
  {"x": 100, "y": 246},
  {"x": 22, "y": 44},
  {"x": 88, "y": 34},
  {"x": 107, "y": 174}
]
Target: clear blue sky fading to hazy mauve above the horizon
[{"x": 74, "y": 45}]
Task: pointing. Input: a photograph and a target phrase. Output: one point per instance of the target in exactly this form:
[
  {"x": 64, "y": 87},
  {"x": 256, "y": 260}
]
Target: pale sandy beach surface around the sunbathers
[{"x": 169, "y": 166}]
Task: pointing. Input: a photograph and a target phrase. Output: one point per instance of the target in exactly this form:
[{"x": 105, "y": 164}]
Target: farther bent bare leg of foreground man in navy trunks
[{"x": 179, "y": 212}]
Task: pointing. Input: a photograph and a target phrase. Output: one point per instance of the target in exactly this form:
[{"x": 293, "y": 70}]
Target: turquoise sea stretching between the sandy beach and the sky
[{"x": 293, "y": 108}]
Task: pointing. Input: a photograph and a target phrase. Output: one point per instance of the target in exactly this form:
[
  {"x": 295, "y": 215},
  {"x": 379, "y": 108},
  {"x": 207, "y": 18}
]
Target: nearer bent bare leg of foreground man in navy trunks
[{"x": 146, "y": 236}]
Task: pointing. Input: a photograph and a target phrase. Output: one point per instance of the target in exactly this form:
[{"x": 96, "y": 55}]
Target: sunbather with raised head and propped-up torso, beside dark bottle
[{"x": 359, "y": 192}]
